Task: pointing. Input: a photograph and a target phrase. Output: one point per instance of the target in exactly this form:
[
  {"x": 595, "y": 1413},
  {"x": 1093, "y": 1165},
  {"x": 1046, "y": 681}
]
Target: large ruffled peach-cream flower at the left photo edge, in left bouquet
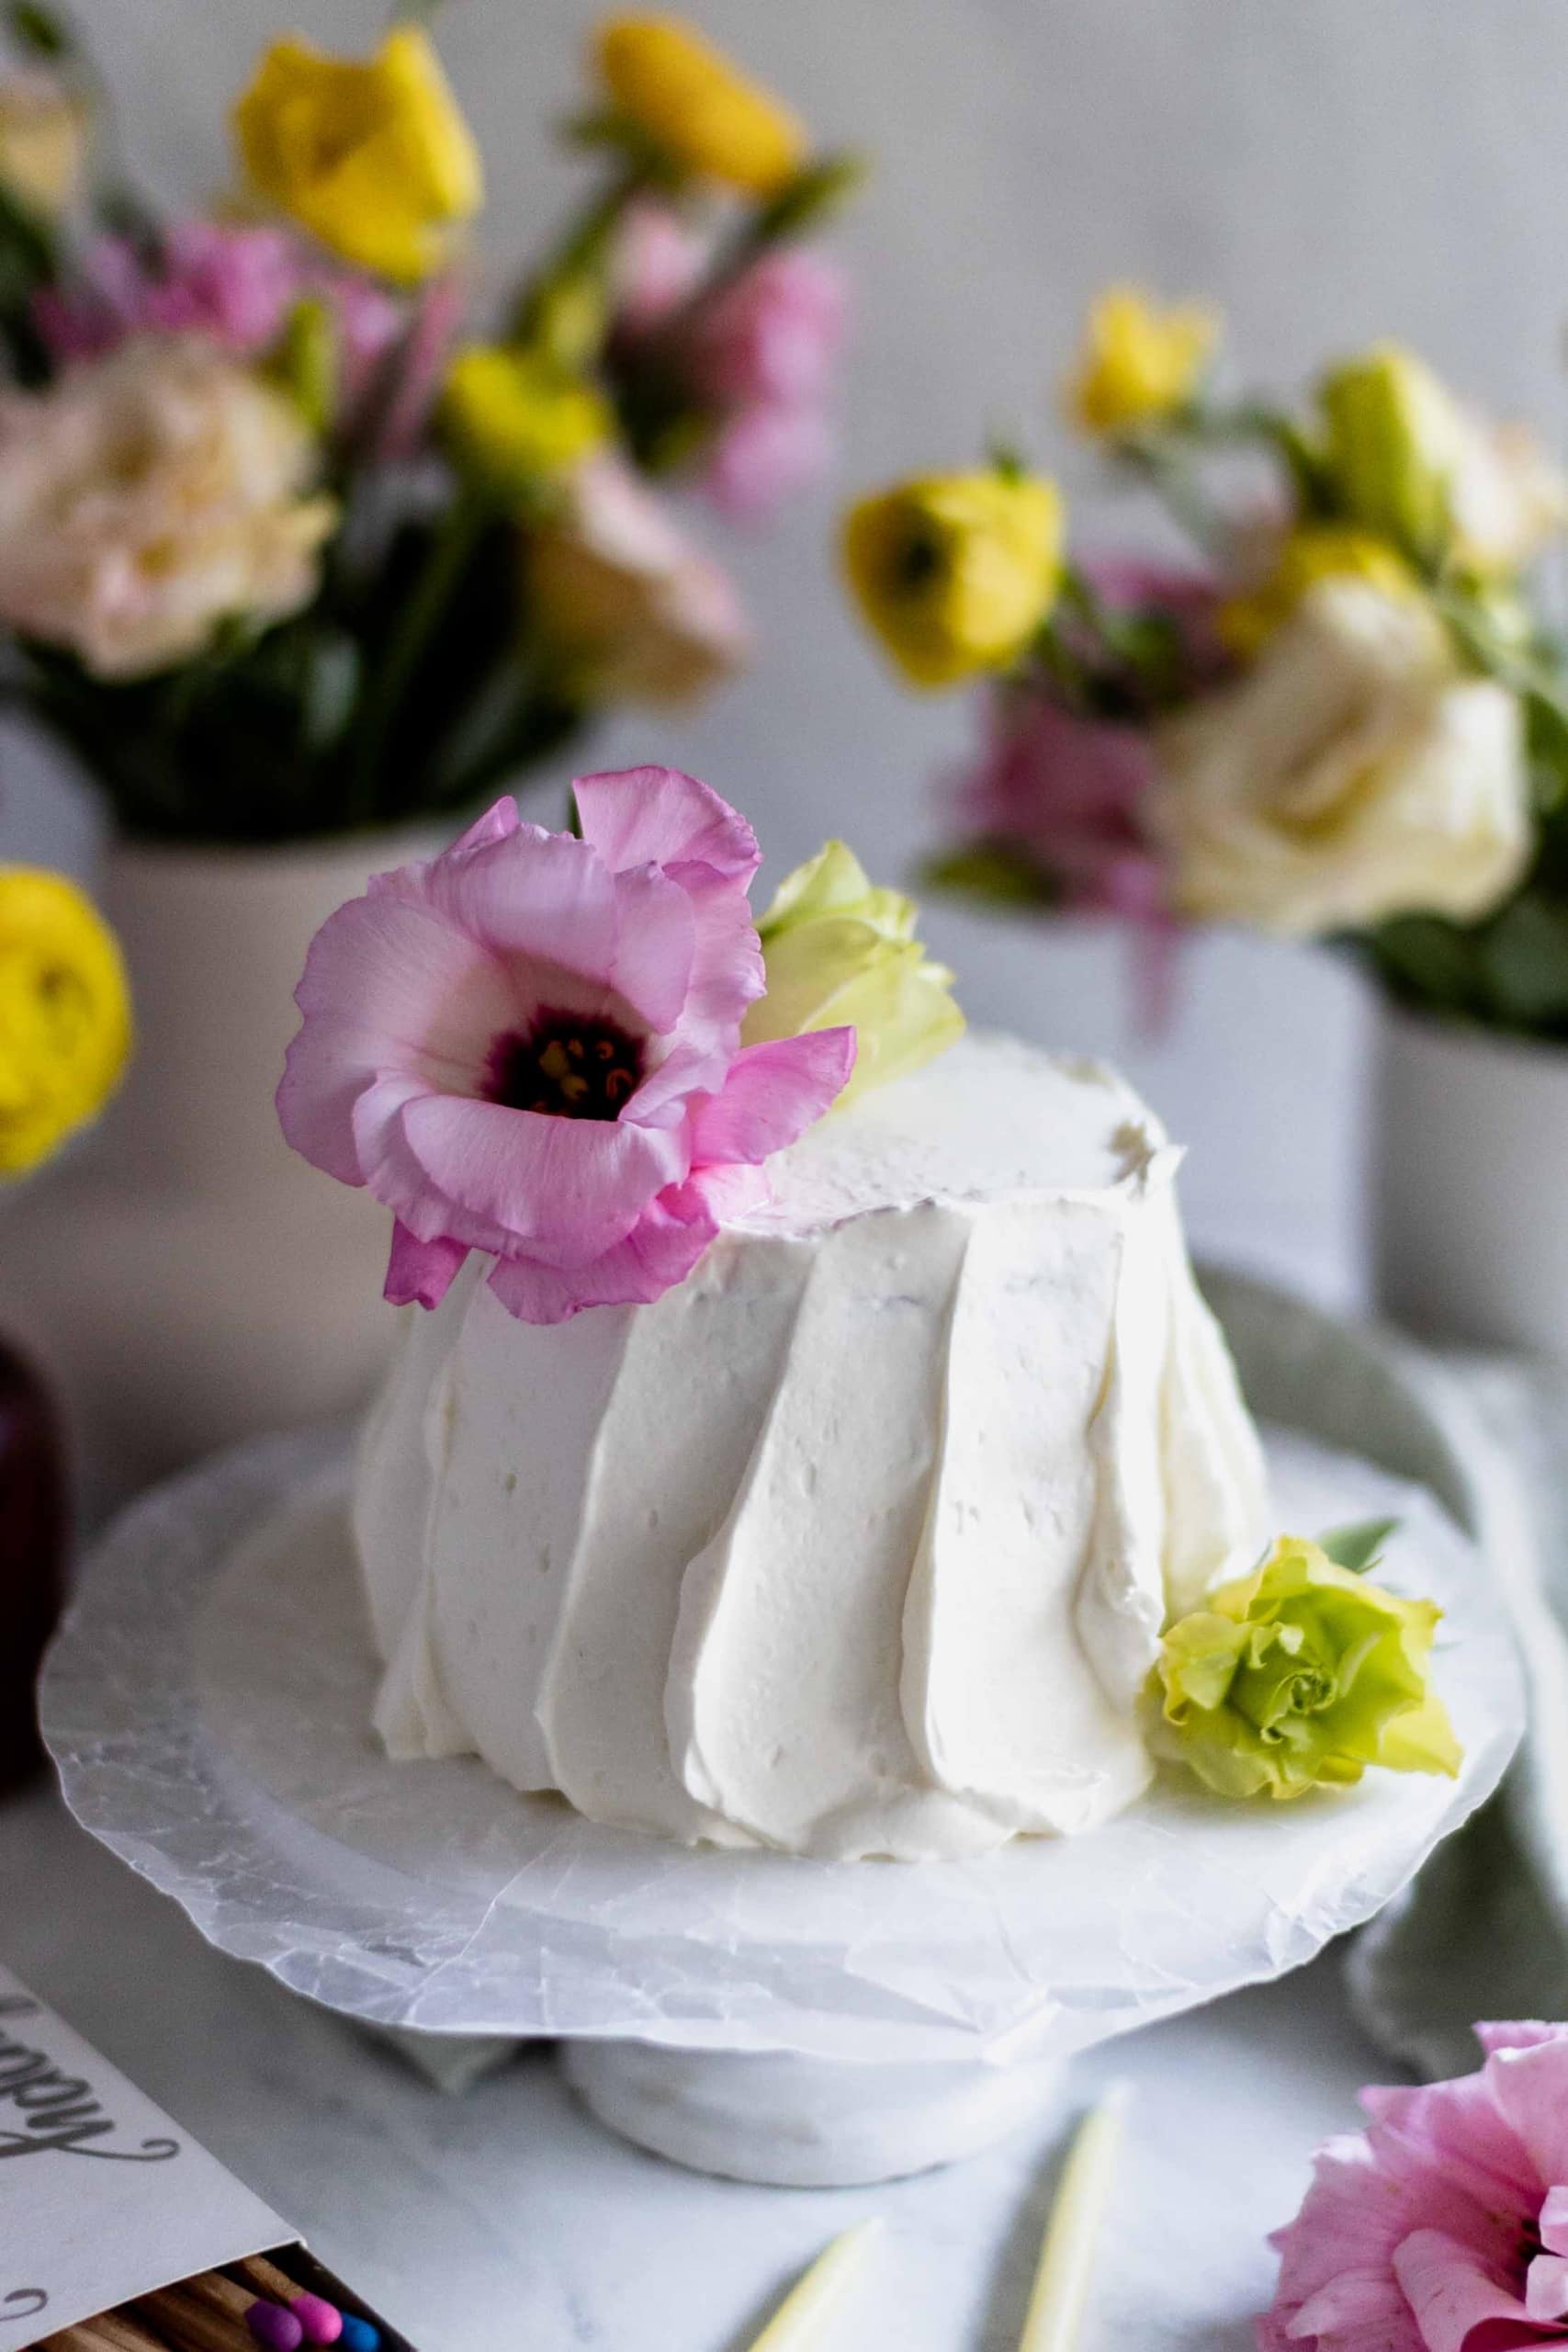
[{"x": 149, "y": 497}]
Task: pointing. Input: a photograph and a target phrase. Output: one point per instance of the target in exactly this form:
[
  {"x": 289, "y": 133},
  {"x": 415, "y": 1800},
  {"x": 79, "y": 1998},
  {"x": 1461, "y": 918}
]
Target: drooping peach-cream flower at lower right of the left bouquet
[{"x": 624, "y": 603}]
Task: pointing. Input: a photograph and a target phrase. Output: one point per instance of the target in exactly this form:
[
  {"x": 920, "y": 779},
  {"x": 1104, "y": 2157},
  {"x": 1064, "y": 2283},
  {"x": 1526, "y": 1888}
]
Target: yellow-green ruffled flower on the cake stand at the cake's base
[{"x": 1296, "y": 1678}]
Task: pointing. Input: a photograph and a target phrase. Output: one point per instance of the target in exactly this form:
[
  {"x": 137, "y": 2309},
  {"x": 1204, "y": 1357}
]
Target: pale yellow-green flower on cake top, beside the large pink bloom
[{"x": 843, "y": 954}]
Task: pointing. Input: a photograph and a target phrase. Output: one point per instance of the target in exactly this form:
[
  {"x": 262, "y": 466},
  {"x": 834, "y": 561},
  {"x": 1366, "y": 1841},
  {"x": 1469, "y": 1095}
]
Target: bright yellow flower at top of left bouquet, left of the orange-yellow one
[{"x": 373, "y": 156}]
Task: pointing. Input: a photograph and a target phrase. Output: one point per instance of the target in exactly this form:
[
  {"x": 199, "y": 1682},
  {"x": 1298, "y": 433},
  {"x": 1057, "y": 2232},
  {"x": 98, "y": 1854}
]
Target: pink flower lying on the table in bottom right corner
[{"x": 1445, "y": 2226}]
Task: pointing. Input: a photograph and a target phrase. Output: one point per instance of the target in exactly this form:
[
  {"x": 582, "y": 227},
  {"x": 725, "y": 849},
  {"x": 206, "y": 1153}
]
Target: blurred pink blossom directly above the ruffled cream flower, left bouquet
[{"x": 232, "y": 286}]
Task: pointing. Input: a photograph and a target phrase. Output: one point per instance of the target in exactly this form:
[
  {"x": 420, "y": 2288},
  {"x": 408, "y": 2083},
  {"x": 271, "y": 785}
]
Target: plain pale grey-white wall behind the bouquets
[{"x": 1327, "y": 171}]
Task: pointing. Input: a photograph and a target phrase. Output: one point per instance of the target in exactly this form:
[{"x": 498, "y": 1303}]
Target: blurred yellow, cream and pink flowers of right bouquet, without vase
[{"x": 1346, "y": 716}]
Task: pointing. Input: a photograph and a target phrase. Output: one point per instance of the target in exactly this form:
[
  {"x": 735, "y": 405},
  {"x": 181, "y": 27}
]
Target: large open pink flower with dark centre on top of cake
[{"x": 532, "y": 1048}]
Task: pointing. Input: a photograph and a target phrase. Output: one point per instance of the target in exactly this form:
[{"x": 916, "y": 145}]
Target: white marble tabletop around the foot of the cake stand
[{"x": 509, "y": 2219}]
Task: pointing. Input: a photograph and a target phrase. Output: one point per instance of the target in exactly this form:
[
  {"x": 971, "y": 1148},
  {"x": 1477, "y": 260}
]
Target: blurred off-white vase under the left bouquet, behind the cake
[{"x": 185, "y": 1278}]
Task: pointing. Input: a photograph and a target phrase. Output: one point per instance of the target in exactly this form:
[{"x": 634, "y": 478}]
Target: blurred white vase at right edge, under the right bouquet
[{"x": 1470, "y": 1184}]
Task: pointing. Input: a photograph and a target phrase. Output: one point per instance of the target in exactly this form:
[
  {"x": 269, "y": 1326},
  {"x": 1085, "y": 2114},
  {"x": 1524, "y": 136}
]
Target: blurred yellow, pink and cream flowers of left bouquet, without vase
[{"x": 290, "y": 540}]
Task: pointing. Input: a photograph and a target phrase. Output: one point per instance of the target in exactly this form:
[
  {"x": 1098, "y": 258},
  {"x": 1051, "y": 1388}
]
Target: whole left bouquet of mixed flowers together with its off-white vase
[{"x": 307, "y": 549}]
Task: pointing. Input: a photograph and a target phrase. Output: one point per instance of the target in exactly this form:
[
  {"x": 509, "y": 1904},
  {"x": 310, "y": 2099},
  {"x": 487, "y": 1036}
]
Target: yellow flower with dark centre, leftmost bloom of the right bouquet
[{"x": 956, "y": 573}]
